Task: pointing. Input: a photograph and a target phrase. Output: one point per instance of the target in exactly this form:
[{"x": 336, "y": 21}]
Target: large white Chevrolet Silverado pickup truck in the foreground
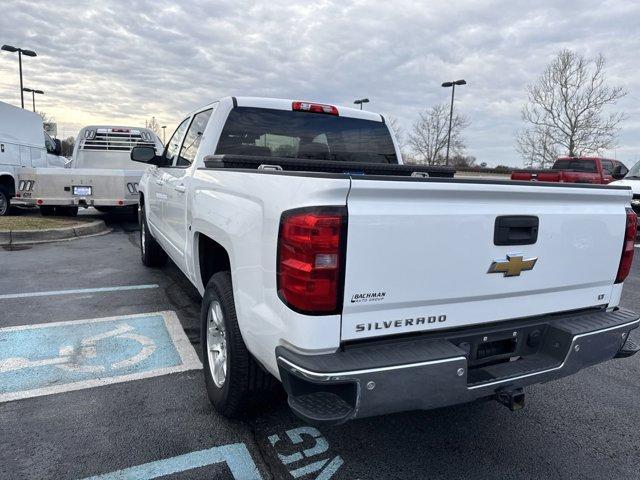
[{"x": 367, "y": 286}]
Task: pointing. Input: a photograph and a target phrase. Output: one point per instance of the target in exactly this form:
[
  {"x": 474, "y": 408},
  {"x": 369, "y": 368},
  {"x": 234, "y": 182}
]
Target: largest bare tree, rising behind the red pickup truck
[{"x": 567, "y": 109}]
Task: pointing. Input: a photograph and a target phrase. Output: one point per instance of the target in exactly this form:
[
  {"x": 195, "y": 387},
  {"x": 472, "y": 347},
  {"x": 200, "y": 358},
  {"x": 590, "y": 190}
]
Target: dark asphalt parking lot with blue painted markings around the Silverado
[{"x": 152, "y": 418}]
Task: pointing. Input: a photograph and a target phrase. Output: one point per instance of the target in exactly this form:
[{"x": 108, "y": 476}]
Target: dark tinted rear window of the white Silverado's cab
[{"x": 281, "y": 133}]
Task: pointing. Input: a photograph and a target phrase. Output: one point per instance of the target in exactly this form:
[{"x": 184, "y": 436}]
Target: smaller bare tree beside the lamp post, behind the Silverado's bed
[{"x": 428, "y": 138}]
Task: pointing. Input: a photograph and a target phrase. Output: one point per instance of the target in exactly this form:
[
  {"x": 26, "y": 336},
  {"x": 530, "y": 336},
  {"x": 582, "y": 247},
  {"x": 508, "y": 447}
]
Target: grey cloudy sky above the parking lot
[{"x": 122, "y": 62}]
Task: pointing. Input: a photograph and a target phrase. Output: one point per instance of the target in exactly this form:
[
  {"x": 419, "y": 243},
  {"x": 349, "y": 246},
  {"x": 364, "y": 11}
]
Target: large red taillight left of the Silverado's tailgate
[{"x": 310, "y": 259}]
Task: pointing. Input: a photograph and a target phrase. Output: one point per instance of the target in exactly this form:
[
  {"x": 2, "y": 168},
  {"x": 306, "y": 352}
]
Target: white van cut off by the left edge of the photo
[{"x": 23, "y": 144}]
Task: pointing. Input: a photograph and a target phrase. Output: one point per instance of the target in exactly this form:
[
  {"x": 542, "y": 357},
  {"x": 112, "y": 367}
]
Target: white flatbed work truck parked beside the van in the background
[{"x": 100, "y": 174}]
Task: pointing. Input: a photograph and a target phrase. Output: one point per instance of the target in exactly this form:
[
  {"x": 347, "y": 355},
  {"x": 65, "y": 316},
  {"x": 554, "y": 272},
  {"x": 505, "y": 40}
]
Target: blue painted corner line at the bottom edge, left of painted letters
[{"x": 236, "y": 456}]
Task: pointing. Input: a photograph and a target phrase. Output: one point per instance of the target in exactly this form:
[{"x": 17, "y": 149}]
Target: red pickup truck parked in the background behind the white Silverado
[{"x": 576, "y": 170}]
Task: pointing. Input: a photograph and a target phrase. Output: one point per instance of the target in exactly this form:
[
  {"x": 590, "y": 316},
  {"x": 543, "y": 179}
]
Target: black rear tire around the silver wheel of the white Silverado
[{"x": 245, "y": 380}]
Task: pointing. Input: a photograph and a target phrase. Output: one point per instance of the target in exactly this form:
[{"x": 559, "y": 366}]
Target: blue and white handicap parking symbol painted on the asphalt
[{"x": 57, "y": 357}]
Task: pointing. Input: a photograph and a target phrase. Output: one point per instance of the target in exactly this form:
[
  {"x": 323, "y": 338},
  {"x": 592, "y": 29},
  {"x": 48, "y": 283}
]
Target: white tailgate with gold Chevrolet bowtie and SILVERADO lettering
[{"x": 419, "y": 253}]
